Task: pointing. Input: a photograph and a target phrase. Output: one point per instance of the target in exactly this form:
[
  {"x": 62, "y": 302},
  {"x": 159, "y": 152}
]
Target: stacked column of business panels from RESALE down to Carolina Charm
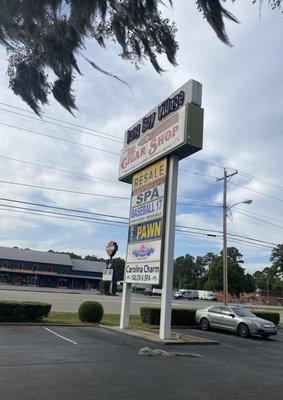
[{"x": 144, "y": 251}]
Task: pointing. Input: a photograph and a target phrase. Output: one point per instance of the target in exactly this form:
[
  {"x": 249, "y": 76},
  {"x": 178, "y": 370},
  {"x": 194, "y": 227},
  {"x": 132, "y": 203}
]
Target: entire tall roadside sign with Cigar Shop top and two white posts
[{"x": 149, "y": 160}]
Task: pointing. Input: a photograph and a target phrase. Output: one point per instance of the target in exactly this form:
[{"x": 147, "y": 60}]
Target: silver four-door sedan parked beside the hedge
[{"x": 235, "y": 319}]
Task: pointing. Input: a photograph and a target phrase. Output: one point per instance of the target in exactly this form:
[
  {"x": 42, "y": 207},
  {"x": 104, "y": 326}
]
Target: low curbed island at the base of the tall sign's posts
[{"x": 151, "y": 337}]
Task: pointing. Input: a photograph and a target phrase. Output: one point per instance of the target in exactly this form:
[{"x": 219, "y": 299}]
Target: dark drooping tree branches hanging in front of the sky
[{"x": 50, "y": 35}]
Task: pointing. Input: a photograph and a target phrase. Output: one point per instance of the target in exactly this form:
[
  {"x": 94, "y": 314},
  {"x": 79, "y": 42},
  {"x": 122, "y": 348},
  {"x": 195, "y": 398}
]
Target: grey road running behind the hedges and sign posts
[{"x": 69, "y": 301}]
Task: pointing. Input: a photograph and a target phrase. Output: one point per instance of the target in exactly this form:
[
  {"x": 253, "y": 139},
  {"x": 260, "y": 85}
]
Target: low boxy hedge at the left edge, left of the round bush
[{"x": 23, "y": 311}]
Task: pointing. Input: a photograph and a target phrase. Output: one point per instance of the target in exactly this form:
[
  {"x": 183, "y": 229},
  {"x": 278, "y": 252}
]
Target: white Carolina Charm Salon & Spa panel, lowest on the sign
[{"x": 142, "y": 273}]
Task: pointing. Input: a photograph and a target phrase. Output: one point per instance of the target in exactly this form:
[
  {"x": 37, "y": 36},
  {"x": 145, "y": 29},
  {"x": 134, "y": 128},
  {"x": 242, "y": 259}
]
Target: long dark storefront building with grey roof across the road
[{"x": 29, "y": 267}]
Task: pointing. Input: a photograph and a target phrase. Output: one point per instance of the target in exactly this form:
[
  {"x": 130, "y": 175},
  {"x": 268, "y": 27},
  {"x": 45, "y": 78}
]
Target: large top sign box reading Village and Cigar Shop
[{"x": 173, "y": 127}]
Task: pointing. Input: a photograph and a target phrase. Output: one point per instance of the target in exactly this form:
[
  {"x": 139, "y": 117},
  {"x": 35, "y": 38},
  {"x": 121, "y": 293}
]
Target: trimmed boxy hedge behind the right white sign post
[{"x": 179, "y": 317}]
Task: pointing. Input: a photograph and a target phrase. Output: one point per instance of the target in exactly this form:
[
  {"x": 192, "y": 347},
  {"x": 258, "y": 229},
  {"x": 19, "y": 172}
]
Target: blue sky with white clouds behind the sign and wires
[{"x": 242, "y": 101}]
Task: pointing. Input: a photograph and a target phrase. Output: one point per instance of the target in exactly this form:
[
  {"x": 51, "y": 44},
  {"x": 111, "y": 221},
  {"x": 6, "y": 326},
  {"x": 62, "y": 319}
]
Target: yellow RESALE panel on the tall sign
[{"x": 148, "y": 175}]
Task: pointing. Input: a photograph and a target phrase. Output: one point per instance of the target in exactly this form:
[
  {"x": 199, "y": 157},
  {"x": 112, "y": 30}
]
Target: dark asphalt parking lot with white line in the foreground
[{"x": 40, "y": 362}]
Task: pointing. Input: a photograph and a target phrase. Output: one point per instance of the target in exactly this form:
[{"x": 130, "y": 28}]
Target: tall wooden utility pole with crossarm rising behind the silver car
[{"x": 225, "y": 208}]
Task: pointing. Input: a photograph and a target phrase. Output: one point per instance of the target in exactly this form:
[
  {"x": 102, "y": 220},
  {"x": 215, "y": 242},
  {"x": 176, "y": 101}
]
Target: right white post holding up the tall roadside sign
[{"x": 169, "y": 241}]
